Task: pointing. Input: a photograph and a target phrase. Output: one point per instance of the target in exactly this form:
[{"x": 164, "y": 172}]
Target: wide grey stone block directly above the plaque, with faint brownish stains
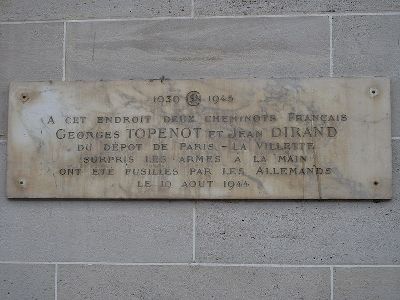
[{"x": 198, "y": 48}]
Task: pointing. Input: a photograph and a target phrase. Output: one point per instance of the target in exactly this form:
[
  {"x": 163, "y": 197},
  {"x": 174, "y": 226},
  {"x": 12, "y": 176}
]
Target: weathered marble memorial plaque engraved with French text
[{"x": 326, "y": 138}]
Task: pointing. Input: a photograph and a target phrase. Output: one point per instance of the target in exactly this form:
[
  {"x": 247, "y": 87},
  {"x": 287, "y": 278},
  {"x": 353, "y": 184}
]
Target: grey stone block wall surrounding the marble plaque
[{"x": 58, "y": 249}]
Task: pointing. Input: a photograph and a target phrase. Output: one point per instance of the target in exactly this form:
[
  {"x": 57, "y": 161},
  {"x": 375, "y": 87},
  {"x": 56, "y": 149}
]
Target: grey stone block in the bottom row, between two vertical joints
[{"x": 191, "y": 282}]
